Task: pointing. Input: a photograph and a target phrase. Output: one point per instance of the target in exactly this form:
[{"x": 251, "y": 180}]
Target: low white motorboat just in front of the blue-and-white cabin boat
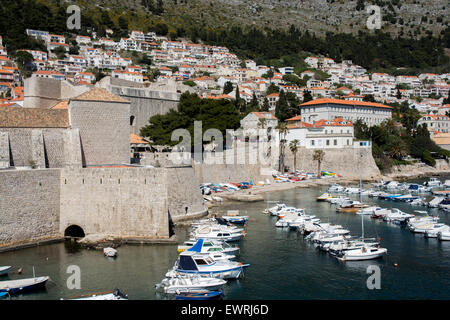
[{"x": 189, "y": 283}]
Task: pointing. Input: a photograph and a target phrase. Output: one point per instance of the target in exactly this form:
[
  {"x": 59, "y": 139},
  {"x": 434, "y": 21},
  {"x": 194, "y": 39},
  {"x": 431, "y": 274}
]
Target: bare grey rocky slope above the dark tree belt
[{"x": 404, "y": 17}]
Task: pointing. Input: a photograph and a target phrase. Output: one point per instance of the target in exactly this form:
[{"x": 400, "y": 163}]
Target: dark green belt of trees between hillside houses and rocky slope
[{"x": 374, "y": 51}]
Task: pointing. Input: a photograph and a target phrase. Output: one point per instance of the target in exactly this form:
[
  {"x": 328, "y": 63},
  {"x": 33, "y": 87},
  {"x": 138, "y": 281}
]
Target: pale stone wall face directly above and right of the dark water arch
[{"x": 123, "y": 202}]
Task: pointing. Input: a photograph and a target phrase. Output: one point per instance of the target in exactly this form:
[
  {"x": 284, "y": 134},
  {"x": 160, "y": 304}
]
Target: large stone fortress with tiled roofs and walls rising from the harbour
[{"x": 65, "y": 167}]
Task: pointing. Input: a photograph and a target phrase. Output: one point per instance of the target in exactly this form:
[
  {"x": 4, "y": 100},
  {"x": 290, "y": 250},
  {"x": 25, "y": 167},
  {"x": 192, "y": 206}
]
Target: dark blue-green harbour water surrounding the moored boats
[{"x": 283, "y": 265}]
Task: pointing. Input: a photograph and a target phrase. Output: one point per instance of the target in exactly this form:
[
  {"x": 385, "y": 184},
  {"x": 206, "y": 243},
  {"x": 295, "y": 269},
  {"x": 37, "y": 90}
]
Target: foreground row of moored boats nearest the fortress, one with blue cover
[{"x": 207, "y": 260}]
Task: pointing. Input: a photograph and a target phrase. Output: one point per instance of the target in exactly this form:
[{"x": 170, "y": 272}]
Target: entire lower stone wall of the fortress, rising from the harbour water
[{"x": 126, "y": 203}]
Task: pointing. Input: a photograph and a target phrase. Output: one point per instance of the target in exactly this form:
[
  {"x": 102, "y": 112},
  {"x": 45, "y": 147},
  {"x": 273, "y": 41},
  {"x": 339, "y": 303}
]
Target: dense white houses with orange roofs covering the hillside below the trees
[{"x": 339, "y": 88}]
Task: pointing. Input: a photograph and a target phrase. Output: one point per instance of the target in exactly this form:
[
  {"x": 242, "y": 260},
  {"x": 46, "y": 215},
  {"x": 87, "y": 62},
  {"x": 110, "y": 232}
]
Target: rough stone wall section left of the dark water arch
[{"x": 29, "y": 206}]
